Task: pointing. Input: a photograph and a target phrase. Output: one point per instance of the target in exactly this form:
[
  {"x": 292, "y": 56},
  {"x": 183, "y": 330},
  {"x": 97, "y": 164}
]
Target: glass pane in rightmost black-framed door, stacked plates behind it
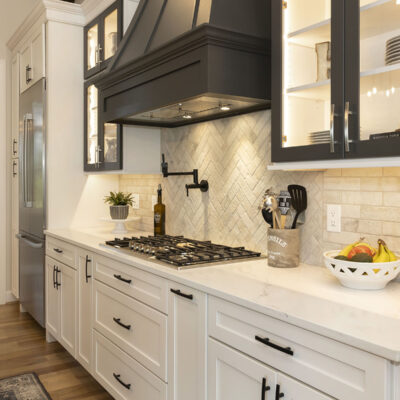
[{"x": 379, "y": 70}]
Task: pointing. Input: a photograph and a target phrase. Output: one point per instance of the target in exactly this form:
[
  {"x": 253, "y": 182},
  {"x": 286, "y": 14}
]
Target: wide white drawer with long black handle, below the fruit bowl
[{"x": 339, "y": 370}]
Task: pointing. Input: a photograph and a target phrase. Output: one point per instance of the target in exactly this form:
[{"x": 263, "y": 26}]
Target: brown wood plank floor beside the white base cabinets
[{"x": 23, "y": 348}]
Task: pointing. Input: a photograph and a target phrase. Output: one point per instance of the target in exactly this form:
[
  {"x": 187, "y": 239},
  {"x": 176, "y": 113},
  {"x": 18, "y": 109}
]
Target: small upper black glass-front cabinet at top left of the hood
[{"x": 101, "y": 39}]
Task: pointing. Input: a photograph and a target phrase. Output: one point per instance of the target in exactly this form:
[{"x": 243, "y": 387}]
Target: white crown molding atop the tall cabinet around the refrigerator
[{"x": 48, "y": 10}]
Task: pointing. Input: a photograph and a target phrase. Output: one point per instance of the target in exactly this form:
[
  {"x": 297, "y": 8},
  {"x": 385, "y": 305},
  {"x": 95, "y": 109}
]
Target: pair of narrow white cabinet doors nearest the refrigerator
[{"x": 61, "y": 303}]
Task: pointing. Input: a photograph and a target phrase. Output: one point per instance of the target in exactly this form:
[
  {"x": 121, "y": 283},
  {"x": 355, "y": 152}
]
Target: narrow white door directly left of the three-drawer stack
[{"x": 84, "y": 320}]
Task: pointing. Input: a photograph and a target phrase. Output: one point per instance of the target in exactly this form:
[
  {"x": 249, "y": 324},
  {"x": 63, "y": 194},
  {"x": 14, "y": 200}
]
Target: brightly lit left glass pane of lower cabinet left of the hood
[{"x": 92, "y": 125}]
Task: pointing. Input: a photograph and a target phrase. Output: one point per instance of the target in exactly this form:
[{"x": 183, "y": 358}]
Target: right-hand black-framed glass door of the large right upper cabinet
[{"x": 372, "y": 79}]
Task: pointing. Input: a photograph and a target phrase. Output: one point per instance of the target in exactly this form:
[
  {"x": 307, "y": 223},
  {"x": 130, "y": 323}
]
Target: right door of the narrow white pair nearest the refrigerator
[{"x": 67, "y": 292}]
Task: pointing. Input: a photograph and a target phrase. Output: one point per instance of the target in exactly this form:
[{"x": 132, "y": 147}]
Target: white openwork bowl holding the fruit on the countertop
[{"x": 356, "y": 275}]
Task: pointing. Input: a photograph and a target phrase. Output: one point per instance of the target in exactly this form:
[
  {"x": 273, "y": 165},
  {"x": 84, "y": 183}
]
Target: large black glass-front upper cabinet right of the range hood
[{"x": 336, "y": 79}]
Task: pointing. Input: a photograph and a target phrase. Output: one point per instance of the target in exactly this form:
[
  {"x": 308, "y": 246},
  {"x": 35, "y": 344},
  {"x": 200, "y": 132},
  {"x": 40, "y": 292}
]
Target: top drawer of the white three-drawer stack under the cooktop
[{"x": 148, "y": 288}]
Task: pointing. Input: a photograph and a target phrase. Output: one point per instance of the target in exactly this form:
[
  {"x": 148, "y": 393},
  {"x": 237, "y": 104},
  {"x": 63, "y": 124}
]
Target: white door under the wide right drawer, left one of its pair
[{"x": 234, "y": 376}]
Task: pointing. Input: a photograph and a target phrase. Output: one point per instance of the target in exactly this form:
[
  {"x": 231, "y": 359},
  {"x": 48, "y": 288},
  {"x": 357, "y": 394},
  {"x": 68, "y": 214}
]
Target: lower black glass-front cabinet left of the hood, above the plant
[{"x": 103, "y": 142}]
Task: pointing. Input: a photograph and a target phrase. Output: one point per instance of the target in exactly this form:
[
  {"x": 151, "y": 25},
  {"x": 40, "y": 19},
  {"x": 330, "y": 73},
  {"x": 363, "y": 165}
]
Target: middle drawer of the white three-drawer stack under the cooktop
[{"x": 135, "y": 328}]
